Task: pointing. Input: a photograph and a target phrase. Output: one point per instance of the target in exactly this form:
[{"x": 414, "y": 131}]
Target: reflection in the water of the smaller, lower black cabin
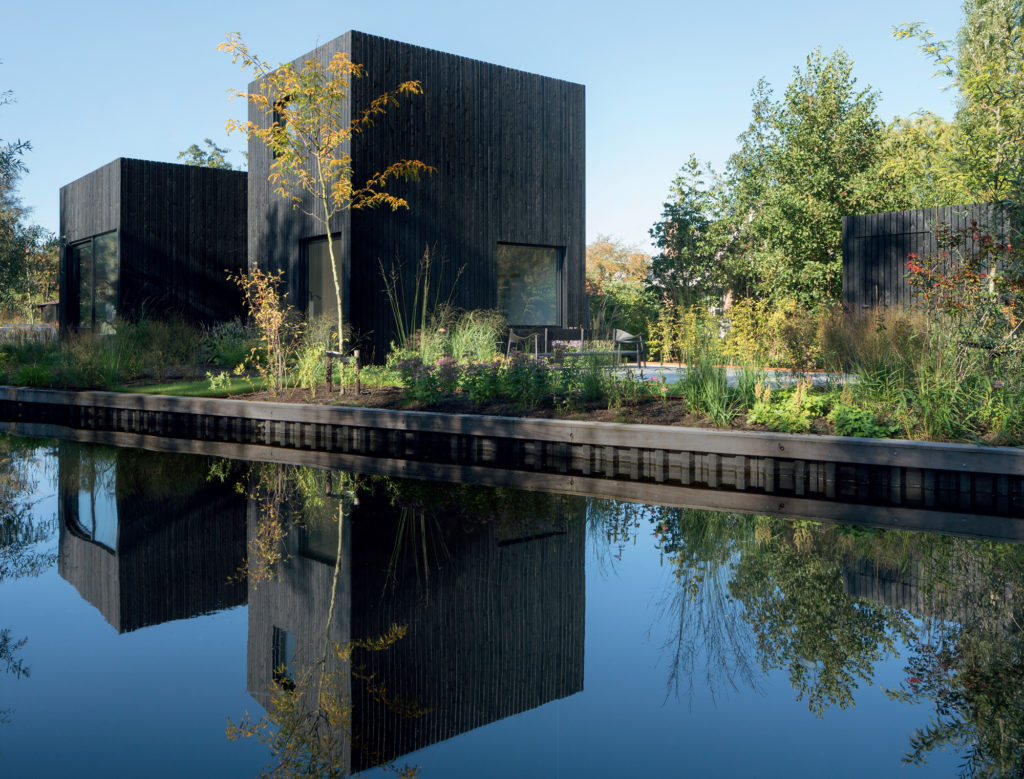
[{"x": 146, "y": 557}]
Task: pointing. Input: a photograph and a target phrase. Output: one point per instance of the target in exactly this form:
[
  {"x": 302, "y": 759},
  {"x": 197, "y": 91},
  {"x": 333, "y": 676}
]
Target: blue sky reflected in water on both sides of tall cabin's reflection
[{"x": 155, "y": 702}]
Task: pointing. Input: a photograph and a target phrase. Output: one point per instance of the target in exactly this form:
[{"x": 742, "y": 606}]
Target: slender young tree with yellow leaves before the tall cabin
[{"x": 308, "y": 135}]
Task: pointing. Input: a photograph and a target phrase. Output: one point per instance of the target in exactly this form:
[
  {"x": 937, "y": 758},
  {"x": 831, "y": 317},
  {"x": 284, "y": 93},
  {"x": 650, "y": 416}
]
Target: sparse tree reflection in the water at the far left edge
[{"x": 21, "y": 535}]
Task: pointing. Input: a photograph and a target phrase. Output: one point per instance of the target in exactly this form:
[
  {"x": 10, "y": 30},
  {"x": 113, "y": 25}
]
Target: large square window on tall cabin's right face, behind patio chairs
[{"x": 529, "y": 284}]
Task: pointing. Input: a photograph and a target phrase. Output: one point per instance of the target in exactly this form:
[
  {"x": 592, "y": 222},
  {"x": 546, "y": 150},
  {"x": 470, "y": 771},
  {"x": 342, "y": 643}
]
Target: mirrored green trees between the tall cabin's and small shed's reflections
[{"x": 770, "y": 593}]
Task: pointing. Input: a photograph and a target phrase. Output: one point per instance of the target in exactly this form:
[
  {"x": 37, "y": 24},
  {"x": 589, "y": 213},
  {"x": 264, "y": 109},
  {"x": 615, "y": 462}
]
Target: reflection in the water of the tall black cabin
[{"x": 495, "y": 619}]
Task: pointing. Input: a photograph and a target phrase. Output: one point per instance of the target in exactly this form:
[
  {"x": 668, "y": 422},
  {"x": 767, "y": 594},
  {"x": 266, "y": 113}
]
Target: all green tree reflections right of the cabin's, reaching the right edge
[{"x": 799, "y": 593}]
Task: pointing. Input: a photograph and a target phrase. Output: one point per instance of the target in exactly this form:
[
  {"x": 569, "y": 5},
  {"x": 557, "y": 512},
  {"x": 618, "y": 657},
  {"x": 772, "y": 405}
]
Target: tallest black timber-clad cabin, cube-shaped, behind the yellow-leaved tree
[{"x": 505, "y": 207}]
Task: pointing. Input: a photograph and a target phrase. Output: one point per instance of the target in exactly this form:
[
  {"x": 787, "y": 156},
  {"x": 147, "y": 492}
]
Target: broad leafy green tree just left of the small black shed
[{"x": 795, "y": 178}]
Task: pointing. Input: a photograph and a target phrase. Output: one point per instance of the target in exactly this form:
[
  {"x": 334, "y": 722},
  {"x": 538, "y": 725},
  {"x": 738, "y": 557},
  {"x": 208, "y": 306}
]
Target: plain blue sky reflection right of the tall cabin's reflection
[{"x": 626, "y": 722}]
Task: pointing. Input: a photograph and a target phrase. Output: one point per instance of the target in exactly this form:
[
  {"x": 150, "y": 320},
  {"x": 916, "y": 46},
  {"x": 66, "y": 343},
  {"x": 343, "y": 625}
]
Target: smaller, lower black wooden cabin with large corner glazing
[{"x": 151, "y": 239}]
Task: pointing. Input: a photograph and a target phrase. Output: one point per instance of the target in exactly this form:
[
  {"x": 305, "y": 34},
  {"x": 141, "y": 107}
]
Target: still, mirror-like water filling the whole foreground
[{"x": 178, "y": 616}]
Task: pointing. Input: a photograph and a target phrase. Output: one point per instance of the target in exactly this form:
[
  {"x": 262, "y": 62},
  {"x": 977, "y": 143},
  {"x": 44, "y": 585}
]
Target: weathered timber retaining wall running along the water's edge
[{"x": 969, "y": 481}]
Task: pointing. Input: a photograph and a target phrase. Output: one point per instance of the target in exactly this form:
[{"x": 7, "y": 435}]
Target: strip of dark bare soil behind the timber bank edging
[{"x": 651, "y": 412}]
